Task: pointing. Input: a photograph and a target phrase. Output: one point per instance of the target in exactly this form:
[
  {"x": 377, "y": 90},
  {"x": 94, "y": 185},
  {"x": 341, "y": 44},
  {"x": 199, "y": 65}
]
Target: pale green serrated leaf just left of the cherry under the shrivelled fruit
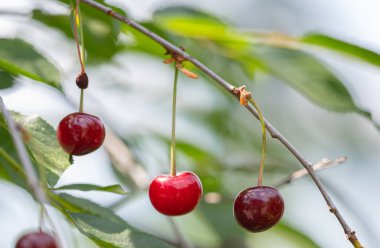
[{"x": 43, "y": 146}]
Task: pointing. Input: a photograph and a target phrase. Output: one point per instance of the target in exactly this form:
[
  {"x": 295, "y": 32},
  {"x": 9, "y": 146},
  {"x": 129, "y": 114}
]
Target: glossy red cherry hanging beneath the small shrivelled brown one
[{"x": 80, "y": 133}]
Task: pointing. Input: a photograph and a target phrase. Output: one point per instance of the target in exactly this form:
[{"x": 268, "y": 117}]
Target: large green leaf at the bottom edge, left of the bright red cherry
[{"x": 106, "y": 228}]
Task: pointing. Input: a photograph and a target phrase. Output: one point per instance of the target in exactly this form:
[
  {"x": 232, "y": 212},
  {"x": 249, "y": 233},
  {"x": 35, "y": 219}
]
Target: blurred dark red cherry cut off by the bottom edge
[{"x": 36, "y": 240}]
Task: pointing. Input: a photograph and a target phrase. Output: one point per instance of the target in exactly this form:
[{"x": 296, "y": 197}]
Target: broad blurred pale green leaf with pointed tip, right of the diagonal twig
[{"x": 309, "y": 76}]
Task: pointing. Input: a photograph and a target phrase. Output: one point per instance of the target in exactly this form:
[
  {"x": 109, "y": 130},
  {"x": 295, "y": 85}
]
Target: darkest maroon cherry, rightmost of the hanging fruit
[{"x": 258, "y": 208}]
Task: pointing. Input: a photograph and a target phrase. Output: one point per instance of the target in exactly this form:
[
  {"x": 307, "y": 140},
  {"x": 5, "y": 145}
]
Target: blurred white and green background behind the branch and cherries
[{"x": 130, "y": 89}]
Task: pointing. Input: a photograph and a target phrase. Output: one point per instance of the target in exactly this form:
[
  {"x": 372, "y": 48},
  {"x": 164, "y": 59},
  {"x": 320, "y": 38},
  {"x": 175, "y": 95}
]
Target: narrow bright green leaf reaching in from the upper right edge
[{"x": 343, "y": 47}]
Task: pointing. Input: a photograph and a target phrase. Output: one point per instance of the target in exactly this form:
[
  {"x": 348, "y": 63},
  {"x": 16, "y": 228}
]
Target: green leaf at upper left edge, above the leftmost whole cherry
[{"x": 20, "y": 58}]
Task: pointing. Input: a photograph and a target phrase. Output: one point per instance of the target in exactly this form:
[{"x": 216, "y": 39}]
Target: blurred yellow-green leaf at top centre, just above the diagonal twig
[{"x": 211, "y": 39}]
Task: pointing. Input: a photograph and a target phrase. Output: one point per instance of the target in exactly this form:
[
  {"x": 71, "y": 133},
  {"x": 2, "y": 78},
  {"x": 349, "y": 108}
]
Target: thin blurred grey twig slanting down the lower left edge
[{"x": 32, "y": 177}]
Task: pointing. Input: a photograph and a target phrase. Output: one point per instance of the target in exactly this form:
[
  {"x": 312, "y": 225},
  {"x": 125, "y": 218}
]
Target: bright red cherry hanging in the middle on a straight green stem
[{"x": 175, "y": 195}]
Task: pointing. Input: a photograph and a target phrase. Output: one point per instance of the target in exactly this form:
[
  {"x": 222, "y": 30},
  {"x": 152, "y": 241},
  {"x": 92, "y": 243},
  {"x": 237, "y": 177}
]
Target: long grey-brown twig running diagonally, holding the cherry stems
[{"x": 230, "y": 88}]
